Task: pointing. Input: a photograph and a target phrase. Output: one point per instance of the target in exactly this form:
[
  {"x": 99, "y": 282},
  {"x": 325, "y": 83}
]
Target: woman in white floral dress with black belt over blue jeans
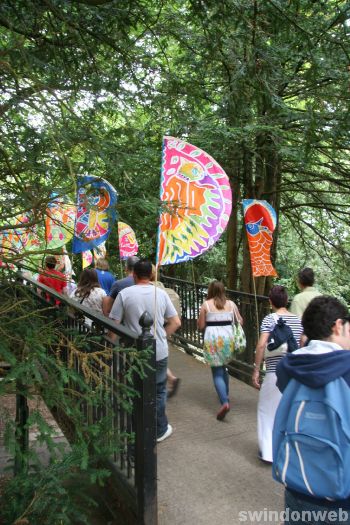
[{"x": 216, "y": 317}]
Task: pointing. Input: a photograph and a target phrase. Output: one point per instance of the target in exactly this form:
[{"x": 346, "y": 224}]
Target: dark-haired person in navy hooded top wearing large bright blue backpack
[{"x": 311, "y": 435}]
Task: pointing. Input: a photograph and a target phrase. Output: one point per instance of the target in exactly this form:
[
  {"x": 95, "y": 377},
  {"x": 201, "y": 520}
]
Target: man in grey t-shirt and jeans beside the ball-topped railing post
[{"x": 128, "y": 307}]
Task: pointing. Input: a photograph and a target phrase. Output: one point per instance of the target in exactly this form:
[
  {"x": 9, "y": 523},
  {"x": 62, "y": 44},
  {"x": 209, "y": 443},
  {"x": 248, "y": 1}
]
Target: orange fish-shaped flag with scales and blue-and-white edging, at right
[{"x": 260, "y": 222}]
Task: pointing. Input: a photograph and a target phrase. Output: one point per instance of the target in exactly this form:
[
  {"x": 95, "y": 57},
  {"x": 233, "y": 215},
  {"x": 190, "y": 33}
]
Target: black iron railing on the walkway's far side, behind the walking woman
[{"x": 252, "y": 308}]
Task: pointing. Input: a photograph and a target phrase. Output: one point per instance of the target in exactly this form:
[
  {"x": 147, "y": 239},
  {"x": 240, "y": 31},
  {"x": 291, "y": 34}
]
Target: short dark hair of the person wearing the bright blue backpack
[{"x": 320, "y": 316}]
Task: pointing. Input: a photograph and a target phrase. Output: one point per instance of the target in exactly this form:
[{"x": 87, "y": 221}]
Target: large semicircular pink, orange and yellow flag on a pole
[{"x": 197, "y": 201}]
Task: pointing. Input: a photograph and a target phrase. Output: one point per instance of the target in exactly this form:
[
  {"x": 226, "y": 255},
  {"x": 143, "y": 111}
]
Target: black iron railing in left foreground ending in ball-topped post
[{"x": 132, "y": 487}]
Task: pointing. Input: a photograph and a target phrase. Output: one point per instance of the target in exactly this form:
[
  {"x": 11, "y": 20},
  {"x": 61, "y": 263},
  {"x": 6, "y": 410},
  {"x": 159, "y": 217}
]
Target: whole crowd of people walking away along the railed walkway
[{"x": 314, "y": 356}]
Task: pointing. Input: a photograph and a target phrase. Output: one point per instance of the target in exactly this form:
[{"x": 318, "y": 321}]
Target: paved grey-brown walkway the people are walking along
[{"x": 208, "y": 471}]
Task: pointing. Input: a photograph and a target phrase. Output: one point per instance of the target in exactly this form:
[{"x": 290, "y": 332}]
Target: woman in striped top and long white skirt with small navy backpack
[{"x": 280, "y": 332}]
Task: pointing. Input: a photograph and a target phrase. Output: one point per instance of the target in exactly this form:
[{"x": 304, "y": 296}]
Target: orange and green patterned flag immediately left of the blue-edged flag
[{"x": 59, "y": 222}]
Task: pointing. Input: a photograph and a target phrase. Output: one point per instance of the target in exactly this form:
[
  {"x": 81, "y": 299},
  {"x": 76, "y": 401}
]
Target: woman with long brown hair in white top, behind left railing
[{"x": 89, "y": 292}]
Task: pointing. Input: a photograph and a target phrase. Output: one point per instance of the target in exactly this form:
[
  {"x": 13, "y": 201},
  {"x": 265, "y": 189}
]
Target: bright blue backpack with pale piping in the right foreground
[{"x": 311, "y": 440}]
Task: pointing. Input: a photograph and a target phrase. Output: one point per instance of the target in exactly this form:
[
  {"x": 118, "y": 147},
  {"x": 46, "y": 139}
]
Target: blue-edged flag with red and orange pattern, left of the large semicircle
[{"x": 96, "y": 201}]
